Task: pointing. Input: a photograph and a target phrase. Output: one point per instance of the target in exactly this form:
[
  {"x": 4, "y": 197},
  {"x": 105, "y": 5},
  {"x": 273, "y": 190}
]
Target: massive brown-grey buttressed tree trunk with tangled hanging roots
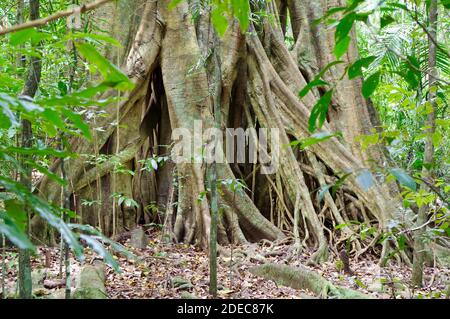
[{"x": 261, "y": 76}]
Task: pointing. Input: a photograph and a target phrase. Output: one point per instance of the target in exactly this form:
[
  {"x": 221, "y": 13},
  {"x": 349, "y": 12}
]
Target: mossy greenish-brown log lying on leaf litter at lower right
[{"x": 303, "y": 278}]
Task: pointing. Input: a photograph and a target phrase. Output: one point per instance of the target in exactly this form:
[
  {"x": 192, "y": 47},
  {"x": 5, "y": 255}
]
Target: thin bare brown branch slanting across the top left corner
[{"x": 61, "y": 14}]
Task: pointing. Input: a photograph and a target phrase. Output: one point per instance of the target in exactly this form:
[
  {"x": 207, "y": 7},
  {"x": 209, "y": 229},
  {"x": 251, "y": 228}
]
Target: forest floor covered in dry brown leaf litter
[{"x": 181, "y": 271}]
